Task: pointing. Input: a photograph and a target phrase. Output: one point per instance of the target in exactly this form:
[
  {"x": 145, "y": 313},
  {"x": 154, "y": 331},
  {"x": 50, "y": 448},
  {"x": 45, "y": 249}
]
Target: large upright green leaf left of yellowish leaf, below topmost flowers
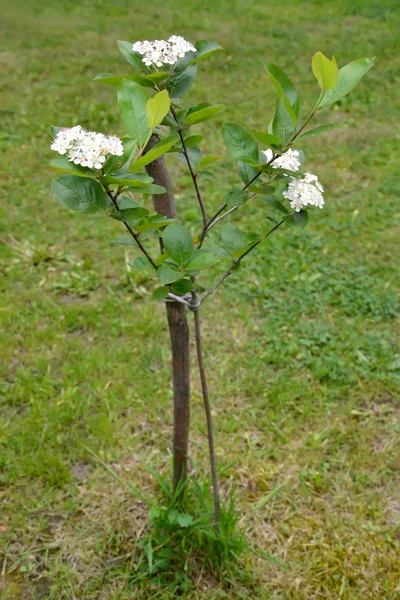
[{"x": 132, "y": 100}]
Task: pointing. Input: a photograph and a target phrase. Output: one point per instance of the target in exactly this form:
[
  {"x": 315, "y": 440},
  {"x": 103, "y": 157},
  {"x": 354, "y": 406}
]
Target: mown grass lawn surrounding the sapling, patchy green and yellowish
[{"x": 301, "y": 347}]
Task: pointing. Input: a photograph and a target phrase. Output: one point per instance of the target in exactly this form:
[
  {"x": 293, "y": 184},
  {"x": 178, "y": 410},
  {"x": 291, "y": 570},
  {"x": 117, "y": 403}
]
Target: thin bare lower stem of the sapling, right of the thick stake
[{"x": 210, "y": 432}]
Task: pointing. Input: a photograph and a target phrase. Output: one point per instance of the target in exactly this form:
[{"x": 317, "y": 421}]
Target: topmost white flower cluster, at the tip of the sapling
[{"x": 161, "y": 52}]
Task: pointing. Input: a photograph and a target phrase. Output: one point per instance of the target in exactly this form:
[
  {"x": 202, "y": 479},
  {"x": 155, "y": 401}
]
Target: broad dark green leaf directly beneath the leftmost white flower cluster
[{"x": 80, "y": 194}]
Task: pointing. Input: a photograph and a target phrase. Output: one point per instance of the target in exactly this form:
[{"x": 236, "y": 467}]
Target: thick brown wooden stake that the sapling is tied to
[{"x": 179, "y": 334}]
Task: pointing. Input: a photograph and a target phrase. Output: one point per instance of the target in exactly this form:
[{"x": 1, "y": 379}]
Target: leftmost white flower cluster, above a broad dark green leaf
[{"x": 86, "y": 148}]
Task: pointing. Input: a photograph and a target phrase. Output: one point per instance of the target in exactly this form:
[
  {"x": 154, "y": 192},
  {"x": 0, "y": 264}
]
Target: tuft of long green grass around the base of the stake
[{"x": 181, "y": 540}]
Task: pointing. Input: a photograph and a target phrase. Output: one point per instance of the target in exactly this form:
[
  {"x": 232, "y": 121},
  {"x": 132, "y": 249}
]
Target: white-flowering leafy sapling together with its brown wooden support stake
[{"x": 106, "y": 175}]
